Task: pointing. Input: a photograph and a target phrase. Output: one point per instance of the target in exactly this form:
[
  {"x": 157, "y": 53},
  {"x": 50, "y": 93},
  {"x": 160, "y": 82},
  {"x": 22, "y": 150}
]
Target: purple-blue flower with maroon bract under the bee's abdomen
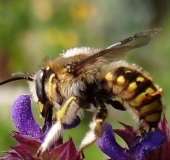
[{"x": 137, "y": 150}]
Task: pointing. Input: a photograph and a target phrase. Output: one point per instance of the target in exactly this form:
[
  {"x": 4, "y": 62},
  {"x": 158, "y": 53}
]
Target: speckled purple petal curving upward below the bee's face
[{"x": 23, "y": 119}]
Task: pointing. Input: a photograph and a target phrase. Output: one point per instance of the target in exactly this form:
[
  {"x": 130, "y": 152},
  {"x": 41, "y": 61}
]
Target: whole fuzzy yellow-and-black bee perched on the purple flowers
[{"x": 90, "y": 79}]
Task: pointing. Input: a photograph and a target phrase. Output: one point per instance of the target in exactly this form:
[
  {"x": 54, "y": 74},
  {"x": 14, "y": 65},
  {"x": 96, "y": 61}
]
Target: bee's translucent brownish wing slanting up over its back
[{"x": 119, "y": 49}]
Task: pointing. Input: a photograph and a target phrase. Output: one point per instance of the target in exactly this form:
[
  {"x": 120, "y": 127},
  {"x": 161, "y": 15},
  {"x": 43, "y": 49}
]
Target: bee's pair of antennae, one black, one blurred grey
[{"x": 20, "y": 75}]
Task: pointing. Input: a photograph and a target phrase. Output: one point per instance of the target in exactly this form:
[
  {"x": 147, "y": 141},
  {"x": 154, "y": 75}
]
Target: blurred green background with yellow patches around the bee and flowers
[{"x": 33, "y": 29}]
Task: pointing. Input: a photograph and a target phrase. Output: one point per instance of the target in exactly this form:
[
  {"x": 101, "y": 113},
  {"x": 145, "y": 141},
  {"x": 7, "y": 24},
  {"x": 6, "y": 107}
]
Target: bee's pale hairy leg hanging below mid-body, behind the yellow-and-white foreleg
[{"x": 96, "y": 128}]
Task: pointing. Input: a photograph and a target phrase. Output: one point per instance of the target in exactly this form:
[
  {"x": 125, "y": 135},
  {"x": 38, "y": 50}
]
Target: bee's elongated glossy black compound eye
[{"x": 40, "y": 86}]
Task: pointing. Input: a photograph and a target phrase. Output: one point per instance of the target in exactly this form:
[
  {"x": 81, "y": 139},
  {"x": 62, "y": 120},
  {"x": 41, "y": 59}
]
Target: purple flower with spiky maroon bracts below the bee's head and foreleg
[{"x": 30, "y": 135}]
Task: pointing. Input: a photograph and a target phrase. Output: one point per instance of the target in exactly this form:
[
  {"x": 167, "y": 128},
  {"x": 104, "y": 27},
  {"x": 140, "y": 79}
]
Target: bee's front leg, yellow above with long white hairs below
[{"x": 56, "y": 130}]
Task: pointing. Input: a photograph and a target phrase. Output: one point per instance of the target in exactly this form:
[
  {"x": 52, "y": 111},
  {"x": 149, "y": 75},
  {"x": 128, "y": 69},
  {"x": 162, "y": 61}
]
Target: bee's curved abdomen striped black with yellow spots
[{"x": 137, "y": 93}]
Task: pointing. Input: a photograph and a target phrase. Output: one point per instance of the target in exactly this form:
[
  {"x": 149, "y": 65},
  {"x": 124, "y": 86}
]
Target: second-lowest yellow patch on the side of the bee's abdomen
[{"x": 149, "y": 107}]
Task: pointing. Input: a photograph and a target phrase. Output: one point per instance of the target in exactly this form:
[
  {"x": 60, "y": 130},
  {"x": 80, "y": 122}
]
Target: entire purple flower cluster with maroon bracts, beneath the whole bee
[{"x": 30, "y": 137}]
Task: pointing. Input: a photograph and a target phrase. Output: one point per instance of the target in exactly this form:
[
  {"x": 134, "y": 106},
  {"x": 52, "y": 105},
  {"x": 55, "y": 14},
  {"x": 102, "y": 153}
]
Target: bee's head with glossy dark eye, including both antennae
[{"x": 42, "y": 82}]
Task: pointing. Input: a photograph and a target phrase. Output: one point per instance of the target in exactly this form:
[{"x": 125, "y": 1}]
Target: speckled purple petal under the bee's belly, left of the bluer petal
[{"x": 109, "y": 146}]
